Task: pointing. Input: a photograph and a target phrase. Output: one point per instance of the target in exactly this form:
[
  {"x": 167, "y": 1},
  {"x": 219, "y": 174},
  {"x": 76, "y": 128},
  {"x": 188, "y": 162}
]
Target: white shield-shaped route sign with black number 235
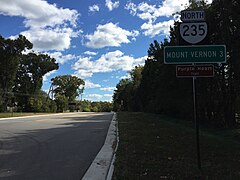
[{"x": 193, "y": 32}]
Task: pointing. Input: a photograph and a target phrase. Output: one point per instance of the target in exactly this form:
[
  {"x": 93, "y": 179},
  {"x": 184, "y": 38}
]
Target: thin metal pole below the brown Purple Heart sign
[{"x": 196, "y": 124}]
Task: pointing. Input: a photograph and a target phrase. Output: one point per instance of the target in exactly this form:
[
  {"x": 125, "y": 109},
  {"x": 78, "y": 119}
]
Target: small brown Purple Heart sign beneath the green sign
[{"x": 195, "y": 71}]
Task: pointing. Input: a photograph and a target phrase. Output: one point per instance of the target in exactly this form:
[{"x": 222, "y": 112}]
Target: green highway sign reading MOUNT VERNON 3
[{"x": 195, "y": 54}]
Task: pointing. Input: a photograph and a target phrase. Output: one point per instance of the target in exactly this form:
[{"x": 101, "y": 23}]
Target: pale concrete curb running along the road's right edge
[{"x": 102, "y": 166}]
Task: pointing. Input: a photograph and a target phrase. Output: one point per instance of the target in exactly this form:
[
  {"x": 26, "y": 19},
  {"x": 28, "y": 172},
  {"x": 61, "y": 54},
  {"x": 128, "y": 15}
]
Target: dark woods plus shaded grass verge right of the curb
[{"x": 154, "y": 146}]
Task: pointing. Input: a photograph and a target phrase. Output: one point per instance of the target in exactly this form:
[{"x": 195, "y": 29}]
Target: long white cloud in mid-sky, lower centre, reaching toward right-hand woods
[{"x": 111, "y": 61}]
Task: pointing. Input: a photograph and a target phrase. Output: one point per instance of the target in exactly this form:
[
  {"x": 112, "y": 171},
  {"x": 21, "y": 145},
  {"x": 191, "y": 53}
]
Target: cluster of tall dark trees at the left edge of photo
[{"x": 21, "y": 76}]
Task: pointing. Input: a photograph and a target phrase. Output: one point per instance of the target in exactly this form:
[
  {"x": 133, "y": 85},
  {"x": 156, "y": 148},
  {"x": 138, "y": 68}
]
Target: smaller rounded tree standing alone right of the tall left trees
[{"x": 68, "y": 86}]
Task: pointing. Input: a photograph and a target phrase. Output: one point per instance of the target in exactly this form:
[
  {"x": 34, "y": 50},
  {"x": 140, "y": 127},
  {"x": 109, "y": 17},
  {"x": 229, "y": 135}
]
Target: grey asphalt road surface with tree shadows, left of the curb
[{"x": 53, "y": 147}]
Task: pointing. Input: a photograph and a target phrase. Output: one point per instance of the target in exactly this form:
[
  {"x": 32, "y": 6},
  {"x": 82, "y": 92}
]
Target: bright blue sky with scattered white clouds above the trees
[{"x": 99, "y": 41}]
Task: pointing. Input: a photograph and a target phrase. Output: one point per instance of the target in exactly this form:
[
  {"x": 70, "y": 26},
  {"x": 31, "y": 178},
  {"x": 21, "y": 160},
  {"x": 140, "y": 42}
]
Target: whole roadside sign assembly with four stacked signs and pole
[{"x": 193, "y": 31}]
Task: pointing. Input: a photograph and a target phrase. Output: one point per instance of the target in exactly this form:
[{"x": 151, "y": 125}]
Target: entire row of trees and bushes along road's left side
[{"x": 21, "y": 79}]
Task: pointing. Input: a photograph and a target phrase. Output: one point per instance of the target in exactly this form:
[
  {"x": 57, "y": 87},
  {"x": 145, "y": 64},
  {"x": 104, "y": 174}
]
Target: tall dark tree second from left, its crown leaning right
[{"x": 29, "y": 77}]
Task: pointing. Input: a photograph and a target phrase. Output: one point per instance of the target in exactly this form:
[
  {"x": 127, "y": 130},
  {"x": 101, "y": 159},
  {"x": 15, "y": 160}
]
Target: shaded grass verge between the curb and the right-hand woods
[{"x": 157, "y": 147}]
